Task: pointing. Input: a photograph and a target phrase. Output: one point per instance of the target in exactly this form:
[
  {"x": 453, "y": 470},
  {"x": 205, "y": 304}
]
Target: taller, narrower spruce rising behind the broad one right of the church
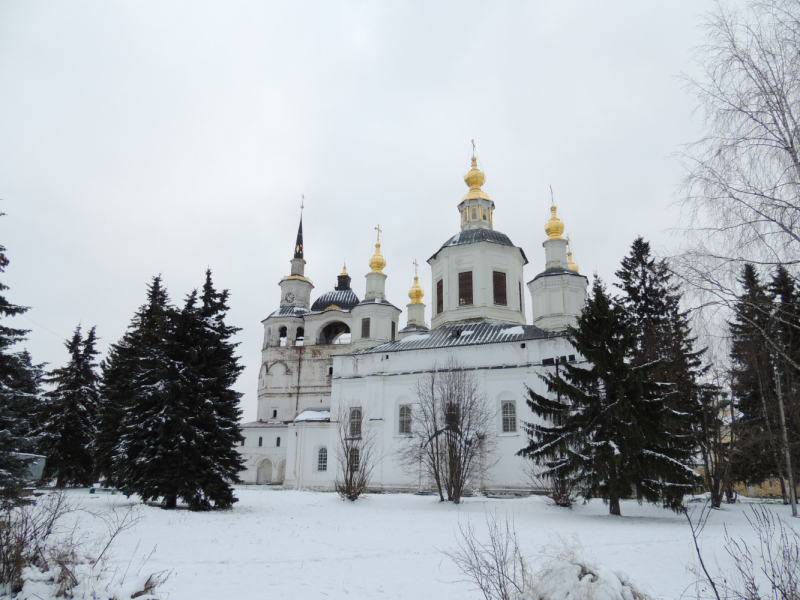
[{"x": 664, "y": 343}]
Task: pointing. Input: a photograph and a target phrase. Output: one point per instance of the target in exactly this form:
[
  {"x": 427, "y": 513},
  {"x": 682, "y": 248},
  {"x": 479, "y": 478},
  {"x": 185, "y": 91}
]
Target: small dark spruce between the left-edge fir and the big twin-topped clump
[{"x": 68, "y": 417}]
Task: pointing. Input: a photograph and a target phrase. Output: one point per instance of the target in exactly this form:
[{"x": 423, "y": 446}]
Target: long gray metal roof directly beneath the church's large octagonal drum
[{"x": 469, "y": 334}]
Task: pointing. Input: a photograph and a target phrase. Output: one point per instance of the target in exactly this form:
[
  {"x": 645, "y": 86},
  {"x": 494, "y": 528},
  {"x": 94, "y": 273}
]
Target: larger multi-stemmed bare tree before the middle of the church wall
[{"x": 452, "y": 431}]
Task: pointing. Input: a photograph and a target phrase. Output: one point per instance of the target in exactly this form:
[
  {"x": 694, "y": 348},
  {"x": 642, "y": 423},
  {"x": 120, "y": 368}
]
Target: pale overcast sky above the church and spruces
[{"x": 139, "y": 138}]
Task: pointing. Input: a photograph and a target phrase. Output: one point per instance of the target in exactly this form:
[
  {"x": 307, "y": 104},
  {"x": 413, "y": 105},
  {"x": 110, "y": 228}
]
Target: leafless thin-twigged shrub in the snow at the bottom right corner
[{"x": 768, "y": 568}]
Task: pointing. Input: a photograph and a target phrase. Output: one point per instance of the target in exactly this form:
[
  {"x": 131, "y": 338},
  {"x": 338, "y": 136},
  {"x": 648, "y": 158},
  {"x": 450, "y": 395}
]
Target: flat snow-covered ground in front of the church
[{"x": 297, "y": 544}]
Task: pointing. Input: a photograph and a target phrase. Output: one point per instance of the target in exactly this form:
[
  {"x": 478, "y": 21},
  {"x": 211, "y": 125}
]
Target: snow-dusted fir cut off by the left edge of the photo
[{"x": 19, "y": 396}]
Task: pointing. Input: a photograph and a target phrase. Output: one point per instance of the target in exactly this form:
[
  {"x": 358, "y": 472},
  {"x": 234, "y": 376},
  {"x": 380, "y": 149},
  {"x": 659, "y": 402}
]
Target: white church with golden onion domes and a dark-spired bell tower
[{"x": 340, "y": 350}]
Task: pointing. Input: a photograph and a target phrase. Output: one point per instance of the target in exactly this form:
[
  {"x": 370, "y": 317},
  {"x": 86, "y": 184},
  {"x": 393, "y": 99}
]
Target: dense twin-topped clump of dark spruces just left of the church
[{"x": 180, "y": 424}]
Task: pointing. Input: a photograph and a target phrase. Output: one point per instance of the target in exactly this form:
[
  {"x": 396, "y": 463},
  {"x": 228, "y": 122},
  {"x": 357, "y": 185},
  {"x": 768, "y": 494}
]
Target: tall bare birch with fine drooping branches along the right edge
[{"x": 742, "y": 190}]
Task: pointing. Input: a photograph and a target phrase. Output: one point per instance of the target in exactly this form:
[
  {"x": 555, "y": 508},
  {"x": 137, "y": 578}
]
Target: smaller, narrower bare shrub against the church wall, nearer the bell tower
[{"x": 357, "y": 451}]
